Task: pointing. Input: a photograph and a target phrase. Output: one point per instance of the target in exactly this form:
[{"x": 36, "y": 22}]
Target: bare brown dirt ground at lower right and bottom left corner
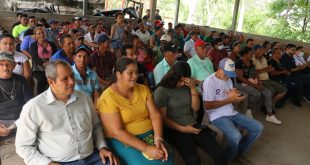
[{"x": 286, "y": 144}]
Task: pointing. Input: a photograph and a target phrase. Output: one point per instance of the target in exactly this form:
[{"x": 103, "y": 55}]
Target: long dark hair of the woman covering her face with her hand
[{"x": 174, "y": 75}]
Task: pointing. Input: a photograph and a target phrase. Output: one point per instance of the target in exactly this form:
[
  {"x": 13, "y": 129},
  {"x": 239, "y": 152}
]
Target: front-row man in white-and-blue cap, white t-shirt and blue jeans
[{"x": 219, "y": 96}]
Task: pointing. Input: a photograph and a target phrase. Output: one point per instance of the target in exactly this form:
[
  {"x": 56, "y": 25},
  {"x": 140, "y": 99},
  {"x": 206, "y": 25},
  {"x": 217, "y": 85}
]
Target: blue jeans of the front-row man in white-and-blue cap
[{"x": 236, "y": 144}]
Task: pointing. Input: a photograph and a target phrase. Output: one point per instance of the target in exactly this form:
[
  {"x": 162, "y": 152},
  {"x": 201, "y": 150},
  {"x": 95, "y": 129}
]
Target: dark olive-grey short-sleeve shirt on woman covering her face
[{"x": 178, "y": 104}]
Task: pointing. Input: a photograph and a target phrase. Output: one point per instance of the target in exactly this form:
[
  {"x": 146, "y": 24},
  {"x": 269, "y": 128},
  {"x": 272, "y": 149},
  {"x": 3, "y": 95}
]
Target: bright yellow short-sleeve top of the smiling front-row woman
[{"x": 134, "y": 113}]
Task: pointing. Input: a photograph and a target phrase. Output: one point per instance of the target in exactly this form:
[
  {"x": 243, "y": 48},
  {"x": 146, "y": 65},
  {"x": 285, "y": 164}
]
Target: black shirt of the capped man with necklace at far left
[{"x": 10, "y": 108}]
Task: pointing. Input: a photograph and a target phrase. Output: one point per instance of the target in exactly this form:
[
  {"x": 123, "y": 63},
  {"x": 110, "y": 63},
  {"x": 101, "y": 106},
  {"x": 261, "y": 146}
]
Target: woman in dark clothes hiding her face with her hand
[{"x": 178, "y": 100}]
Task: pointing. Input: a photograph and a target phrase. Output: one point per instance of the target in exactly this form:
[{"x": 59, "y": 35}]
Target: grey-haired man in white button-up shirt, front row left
[{"x": 61, "y": 126}]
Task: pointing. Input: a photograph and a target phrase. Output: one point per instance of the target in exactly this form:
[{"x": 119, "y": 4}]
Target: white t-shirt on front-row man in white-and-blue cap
[{"x": 214, "y": 89}]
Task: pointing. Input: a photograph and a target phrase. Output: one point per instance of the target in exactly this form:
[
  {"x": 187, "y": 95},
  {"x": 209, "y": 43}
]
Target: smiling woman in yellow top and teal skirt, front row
[{"x": 131, "y": 120}]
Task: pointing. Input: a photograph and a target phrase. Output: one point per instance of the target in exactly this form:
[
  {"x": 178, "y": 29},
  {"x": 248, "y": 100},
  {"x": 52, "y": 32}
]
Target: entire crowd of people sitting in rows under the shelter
[{"x": 93, "y": 89}]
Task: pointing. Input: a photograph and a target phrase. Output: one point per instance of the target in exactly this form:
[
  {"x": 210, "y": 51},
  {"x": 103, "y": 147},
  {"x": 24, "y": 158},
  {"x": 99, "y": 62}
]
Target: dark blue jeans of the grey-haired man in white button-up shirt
[{"x": 93, "y": 159}]
